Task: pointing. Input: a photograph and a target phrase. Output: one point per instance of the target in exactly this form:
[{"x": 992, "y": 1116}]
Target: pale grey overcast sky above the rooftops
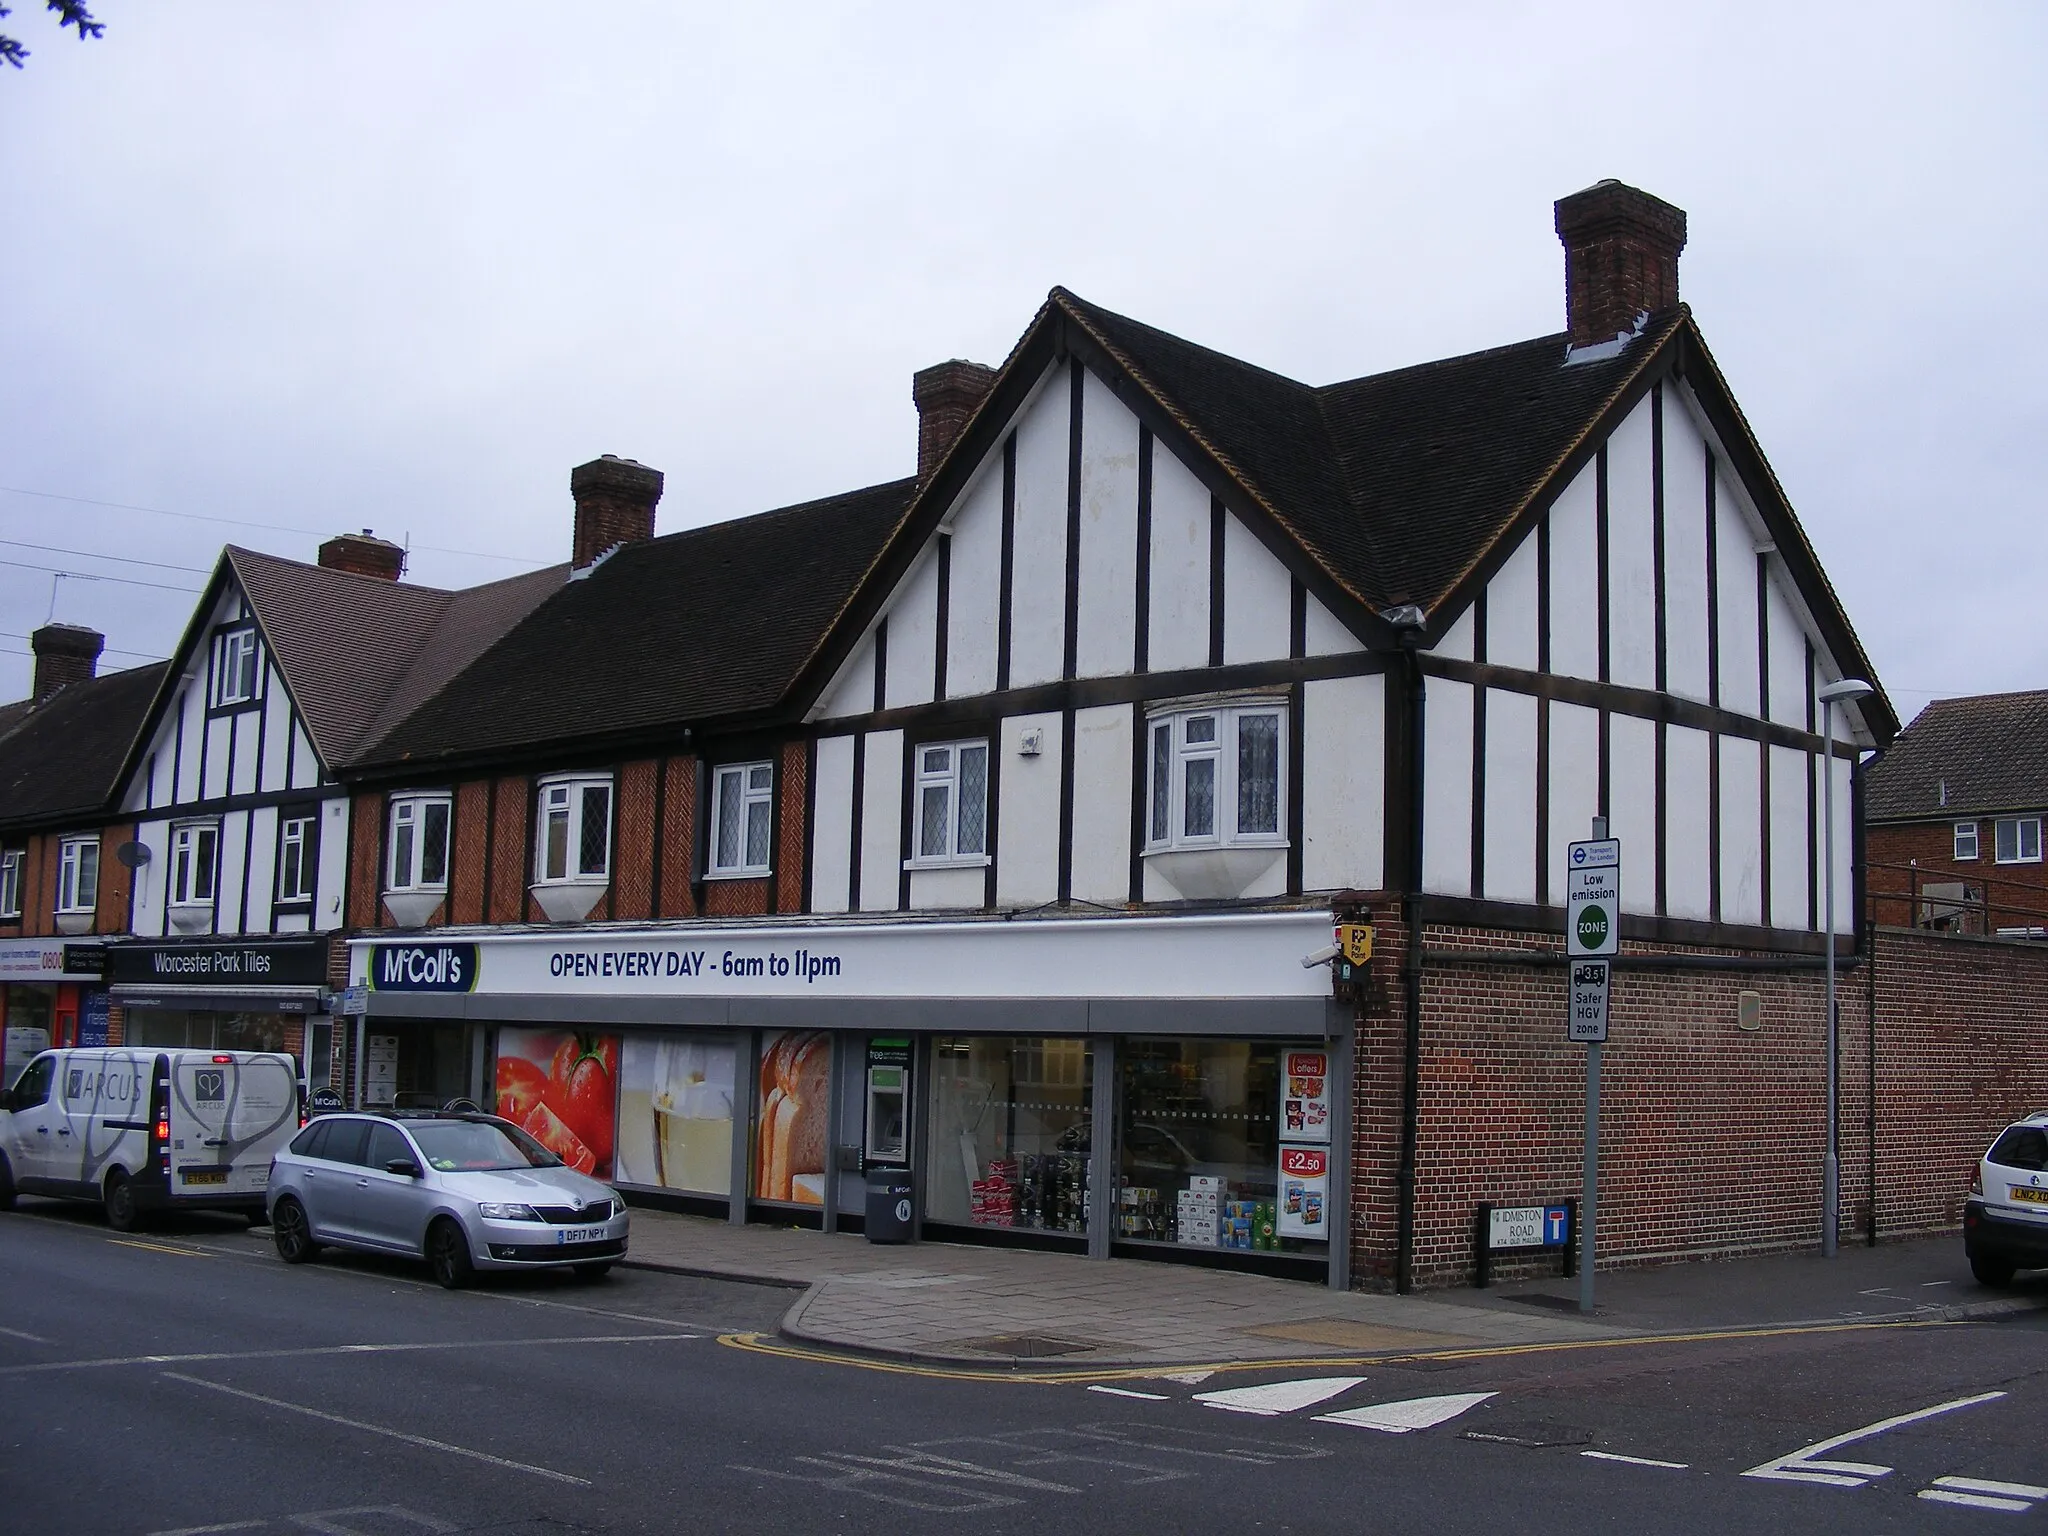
[{"x": 400, "y": 267}]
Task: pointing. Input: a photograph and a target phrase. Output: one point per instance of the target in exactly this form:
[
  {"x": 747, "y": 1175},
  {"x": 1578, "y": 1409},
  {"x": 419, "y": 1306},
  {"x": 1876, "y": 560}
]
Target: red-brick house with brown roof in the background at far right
[{"x": 1955, "y": 818}]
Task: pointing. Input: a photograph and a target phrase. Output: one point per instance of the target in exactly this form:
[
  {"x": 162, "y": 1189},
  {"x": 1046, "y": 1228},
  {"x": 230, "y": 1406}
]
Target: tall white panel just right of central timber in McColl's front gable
[{"x": 1105, "y": 609}]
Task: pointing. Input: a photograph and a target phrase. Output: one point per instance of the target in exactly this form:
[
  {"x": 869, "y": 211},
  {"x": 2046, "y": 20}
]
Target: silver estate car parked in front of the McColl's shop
[{"x": 462, "y": 1191}]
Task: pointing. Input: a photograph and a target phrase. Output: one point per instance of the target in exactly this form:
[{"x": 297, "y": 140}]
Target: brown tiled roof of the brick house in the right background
[{"x": 1965, "y": 757}]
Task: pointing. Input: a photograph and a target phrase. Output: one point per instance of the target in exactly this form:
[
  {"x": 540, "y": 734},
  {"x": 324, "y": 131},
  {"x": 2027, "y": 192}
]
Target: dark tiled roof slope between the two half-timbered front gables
[{"x": 689, "y": 628}]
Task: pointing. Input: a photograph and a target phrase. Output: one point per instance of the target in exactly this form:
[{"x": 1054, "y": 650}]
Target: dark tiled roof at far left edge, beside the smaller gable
[{"x": 62, "y": 759}]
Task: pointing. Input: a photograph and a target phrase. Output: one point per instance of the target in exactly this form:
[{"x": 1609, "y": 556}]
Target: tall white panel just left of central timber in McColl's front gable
[{"x": 1039, "y": 558}]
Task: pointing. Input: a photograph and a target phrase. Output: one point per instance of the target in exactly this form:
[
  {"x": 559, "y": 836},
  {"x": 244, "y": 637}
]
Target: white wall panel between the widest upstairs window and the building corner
[{"x": 1345, "y": 785}]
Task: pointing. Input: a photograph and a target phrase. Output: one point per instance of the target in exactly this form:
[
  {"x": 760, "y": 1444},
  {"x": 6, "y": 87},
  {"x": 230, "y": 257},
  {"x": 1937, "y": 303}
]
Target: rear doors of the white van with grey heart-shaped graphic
[{"x": 230, "y": 1111}]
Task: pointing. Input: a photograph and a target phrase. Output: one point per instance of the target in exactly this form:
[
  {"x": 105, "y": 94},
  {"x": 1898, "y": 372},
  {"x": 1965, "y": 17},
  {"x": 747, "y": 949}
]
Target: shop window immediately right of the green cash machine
[{"x": 1011, "y": 1134}]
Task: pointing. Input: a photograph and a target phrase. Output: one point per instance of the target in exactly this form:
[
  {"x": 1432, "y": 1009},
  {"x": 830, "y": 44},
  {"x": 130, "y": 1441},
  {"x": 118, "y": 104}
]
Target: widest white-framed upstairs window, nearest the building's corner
[{"x": 1218, "y": 777}]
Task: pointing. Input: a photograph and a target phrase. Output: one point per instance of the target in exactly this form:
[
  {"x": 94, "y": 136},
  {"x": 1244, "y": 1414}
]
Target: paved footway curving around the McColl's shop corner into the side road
[{"x": 994, "y": 1308}]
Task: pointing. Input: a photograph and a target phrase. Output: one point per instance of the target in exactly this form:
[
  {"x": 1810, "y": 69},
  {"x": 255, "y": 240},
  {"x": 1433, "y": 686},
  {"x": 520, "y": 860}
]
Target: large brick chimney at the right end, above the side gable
[{"x": 1621, "y": 259}]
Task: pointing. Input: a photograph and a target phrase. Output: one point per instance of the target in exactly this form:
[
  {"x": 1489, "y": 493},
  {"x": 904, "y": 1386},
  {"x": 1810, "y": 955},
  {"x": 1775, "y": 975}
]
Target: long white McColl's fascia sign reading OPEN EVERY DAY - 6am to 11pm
[{"x": 1242, "y": 955}]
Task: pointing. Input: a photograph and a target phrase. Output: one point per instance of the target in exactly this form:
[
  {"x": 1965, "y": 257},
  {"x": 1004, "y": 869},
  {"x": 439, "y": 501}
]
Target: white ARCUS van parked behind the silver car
[{"x": 142, "y": 1129}]
